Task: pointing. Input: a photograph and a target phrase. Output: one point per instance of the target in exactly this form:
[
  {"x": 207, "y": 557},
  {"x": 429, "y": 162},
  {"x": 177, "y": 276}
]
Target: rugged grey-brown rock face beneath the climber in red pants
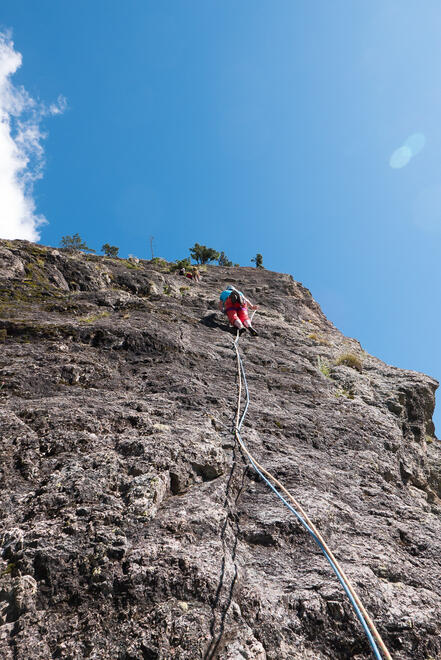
[{"x": 132, "y": 528}]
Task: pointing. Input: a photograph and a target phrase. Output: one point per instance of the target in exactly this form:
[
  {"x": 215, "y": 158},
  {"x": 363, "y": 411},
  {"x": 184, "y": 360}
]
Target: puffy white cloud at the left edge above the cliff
[{"x": 21, "y": 151}]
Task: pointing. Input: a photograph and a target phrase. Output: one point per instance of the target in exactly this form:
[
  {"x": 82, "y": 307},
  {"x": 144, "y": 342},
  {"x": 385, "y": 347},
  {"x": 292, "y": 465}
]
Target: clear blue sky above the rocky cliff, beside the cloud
[{"x": 253, "y": 126}]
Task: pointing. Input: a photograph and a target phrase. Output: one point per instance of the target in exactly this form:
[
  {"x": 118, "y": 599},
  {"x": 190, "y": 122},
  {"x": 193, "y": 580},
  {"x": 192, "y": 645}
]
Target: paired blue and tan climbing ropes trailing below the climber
[{"x": 368, "y": 625}]
